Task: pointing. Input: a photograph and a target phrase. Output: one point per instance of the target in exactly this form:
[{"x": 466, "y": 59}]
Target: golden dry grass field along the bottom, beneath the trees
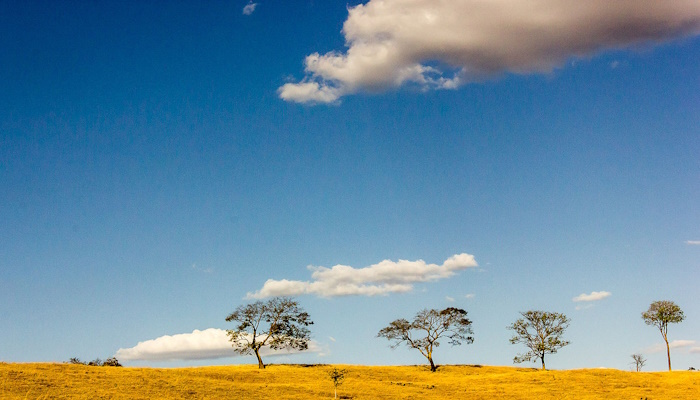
[{"x": 56, "y": 381}]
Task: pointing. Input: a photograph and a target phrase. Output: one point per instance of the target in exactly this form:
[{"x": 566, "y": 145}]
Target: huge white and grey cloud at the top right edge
[{"x": 444, "y": 43}]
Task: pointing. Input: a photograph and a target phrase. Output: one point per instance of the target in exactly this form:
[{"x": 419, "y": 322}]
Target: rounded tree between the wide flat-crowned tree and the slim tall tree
[{"x": 541, "y": 332}]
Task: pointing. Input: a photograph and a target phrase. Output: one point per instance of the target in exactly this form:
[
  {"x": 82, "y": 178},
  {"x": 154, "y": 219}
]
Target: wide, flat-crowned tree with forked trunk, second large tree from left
[{"x": 451, "y": 323}]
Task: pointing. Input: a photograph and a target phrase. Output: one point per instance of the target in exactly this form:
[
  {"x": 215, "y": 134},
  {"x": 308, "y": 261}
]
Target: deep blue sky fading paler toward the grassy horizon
[{"x": 153, "y": 173}]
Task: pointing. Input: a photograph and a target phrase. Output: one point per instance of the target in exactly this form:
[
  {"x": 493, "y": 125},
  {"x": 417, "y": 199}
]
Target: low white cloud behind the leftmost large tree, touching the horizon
[{"x": 199, "y": 345}]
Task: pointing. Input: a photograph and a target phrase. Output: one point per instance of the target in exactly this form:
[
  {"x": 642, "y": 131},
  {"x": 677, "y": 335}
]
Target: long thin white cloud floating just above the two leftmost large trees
[{"x": 378, "y": 279}]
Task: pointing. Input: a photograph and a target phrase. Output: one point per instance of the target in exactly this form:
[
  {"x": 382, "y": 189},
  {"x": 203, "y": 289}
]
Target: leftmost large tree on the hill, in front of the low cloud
[{"x": 278, "y": 323}]
